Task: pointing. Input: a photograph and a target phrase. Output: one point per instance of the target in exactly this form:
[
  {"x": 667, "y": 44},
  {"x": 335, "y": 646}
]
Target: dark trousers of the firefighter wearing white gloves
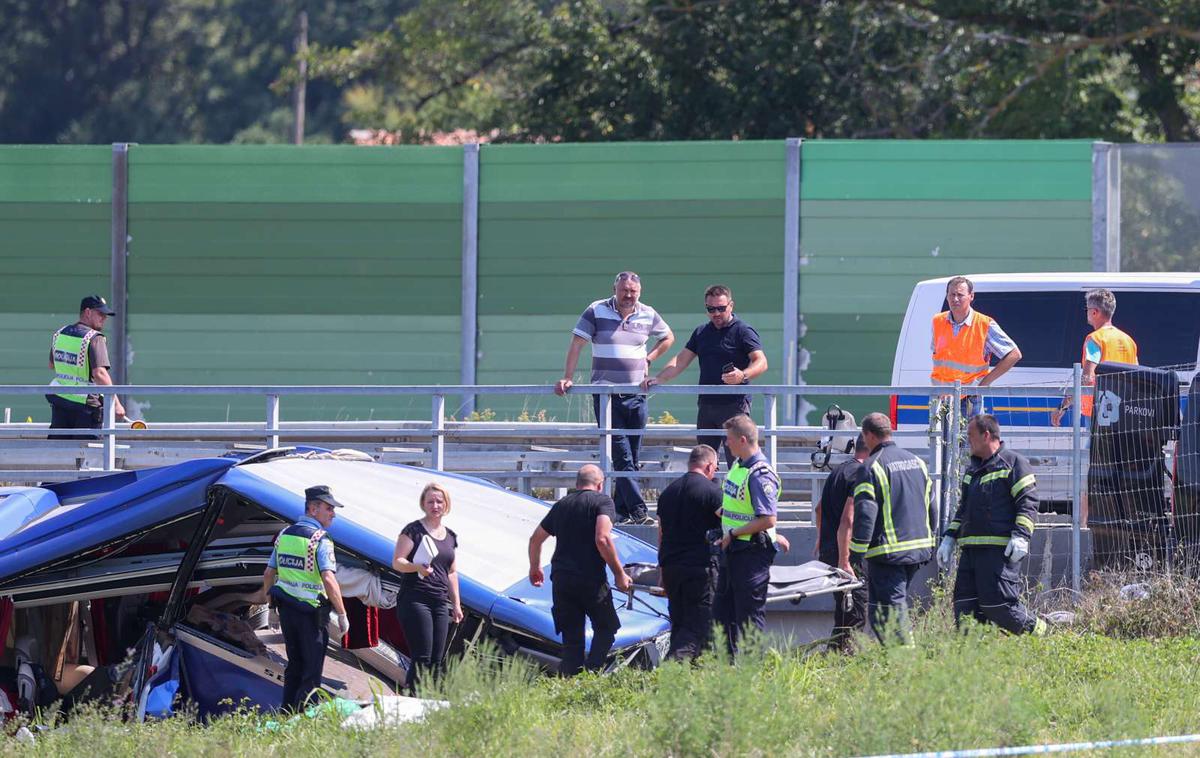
[{"x": 988, "y": 587}]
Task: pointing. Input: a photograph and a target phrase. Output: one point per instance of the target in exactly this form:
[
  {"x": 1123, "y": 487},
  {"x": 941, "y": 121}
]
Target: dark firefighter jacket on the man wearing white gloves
[{"x": 999, "y": 501}]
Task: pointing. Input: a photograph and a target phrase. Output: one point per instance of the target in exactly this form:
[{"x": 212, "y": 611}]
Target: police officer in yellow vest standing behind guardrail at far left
[{"x": 80, "y": 359}]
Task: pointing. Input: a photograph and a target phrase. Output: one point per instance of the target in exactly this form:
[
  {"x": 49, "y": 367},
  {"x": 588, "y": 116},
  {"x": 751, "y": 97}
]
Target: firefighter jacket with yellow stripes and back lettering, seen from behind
[{"x": 893, "y": 519}]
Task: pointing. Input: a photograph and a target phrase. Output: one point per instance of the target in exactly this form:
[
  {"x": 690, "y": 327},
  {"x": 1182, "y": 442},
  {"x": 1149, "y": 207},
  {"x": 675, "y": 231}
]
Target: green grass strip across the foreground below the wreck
[{"x": 950, "y": 691}]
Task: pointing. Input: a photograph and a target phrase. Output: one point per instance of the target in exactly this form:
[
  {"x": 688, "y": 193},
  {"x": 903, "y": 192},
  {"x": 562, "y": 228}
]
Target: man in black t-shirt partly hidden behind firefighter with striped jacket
[{"x": 835, "y": 519}]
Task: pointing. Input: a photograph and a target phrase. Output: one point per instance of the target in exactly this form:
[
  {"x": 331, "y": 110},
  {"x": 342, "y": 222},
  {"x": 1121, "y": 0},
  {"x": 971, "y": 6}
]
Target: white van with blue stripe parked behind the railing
[{"x": 1045, "y": 315}]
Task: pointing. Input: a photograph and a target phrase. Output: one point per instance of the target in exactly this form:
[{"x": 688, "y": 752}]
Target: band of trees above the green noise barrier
[{"x": 602, "y": 70}]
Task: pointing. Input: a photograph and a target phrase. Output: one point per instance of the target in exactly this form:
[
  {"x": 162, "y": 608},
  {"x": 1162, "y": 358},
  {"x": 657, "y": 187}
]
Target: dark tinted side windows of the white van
[{"x": 1051, "y": 327}]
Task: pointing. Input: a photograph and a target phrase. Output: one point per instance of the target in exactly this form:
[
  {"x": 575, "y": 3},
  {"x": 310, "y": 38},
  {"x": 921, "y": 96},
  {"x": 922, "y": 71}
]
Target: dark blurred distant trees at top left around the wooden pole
[{"x": 176, "y": 71}]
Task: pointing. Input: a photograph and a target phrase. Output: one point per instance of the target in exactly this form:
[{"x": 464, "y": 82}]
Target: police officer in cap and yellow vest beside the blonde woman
[{"x": 302, "y": 579}]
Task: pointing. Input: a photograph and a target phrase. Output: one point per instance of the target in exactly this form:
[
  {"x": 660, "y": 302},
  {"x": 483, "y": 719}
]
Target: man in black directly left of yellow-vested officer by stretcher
[{"x": 688, "y": 509}]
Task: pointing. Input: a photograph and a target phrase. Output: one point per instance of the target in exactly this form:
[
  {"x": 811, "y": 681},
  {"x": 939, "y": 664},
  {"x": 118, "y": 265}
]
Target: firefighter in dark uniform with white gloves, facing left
[{"x": 993, "y": 526}]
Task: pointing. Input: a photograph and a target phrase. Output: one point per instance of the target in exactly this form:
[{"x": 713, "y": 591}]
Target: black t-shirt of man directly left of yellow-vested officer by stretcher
[{"x": 687, "y": 510}]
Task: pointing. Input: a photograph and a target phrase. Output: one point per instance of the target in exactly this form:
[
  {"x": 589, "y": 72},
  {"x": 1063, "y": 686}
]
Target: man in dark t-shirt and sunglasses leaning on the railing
[{"x": 730, "y": 354}]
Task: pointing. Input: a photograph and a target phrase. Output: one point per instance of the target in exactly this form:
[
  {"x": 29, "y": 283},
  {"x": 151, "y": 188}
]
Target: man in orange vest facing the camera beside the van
[{"x": 965, "y": 341}]
